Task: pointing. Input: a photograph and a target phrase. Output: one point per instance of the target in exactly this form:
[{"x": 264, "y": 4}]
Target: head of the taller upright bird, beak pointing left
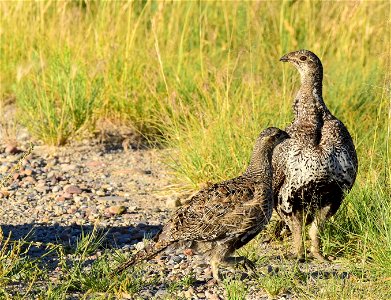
[{"x": 306, "y": 62}]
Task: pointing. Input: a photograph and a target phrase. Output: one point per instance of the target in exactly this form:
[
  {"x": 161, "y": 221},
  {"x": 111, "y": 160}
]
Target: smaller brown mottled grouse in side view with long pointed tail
[{"x": 225, "y": 216}]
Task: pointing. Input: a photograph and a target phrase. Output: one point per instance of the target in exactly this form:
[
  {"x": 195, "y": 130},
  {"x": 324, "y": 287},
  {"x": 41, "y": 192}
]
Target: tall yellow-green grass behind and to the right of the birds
[{"x": 204, "y": 79}]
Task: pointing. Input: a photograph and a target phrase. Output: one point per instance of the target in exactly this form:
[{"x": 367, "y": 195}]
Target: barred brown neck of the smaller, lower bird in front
[{"x": 260, "y": 163}]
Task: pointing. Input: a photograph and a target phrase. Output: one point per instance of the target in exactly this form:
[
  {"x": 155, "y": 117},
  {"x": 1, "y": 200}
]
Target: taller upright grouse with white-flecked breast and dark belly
[{"x": 317, "y": 165}]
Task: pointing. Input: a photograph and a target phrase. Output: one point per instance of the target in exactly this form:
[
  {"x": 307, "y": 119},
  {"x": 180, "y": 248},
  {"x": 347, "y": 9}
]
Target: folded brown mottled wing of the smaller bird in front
[{"x": 215, "y": 212}]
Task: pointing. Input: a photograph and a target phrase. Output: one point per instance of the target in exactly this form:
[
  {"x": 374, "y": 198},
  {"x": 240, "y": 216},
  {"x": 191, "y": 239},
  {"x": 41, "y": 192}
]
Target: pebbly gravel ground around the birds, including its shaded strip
[{"x": 58, "y": 193}]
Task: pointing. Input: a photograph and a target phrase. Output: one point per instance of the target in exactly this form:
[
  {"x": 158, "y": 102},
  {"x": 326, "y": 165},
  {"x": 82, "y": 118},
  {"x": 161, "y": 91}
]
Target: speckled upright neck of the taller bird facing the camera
[{"x": 309, "y": 101}]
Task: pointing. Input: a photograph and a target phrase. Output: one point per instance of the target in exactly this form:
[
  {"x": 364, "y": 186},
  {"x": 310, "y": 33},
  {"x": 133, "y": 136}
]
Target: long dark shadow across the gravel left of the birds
[{"x": 38, "y": 240}]
